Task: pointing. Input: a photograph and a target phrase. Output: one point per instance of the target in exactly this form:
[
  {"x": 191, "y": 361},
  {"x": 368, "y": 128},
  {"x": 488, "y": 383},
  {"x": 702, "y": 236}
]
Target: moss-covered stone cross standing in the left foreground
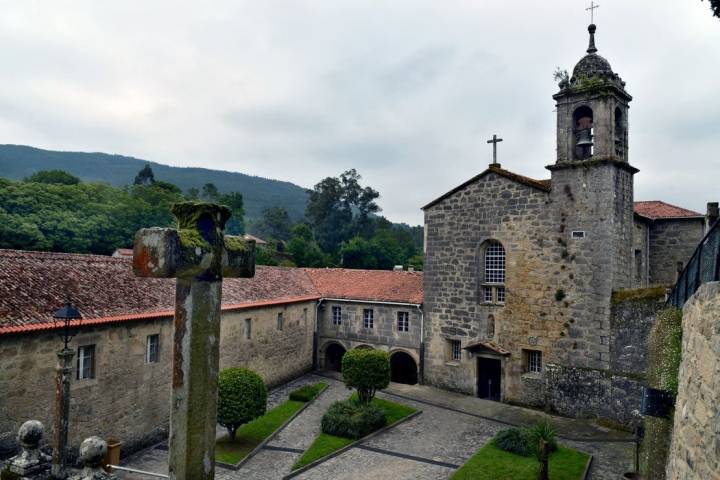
[{"x": 198, "y": 255}]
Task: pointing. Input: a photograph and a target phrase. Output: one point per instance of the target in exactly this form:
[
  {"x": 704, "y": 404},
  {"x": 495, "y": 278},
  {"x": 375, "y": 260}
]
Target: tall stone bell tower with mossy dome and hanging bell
[{"x": 592, "y": 198}]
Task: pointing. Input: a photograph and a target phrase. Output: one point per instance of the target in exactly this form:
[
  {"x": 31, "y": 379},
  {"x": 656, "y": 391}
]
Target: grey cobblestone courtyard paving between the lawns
[{"x": 429, "y": 446}]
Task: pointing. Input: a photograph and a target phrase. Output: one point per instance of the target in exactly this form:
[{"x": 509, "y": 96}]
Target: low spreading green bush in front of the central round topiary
[{"x": 352, "y": 419}]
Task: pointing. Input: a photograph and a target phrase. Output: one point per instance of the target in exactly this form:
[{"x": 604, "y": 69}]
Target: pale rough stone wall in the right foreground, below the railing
[{"x": 695, "y": 448}]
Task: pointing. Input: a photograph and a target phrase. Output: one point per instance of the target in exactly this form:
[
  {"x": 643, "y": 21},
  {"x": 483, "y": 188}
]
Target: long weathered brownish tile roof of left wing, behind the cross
[{"x": 33, "y": 285}]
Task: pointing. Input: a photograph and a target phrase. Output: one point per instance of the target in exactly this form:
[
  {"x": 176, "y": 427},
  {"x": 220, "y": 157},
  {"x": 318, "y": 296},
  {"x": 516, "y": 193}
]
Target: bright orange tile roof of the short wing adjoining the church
[{"x": 377, "y": 285}]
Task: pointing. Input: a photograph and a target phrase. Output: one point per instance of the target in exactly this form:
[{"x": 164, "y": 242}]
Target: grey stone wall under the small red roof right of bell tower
[{"x": 672, "y": 243}]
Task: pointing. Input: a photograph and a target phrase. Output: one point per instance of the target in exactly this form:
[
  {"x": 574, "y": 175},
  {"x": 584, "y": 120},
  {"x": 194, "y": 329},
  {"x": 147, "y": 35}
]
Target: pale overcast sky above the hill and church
[{"x": 406, "y": 92}]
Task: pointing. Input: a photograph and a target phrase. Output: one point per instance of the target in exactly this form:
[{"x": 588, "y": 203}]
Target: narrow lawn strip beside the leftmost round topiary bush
[{"x": 252, "y": 434}]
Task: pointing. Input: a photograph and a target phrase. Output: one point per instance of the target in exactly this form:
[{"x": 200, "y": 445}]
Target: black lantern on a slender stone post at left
[{"x": 62, "y": 319}]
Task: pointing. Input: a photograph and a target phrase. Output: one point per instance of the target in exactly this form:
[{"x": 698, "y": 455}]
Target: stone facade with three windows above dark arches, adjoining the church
[{"x": 384, "y": 335}]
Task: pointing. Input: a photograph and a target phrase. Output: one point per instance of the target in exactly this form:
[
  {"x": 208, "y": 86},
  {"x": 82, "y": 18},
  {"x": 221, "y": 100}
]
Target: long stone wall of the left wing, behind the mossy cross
[{"x": 129, "y": 399}]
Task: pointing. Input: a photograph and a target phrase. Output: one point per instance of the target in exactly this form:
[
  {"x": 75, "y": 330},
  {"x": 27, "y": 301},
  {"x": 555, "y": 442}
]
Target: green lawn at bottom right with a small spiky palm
[{"x": 491, "y": 463}]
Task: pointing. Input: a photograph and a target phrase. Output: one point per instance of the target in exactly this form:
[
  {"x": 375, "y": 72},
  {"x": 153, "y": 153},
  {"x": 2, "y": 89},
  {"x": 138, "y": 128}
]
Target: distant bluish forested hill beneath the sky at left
[{"x": 19, "y": 161}]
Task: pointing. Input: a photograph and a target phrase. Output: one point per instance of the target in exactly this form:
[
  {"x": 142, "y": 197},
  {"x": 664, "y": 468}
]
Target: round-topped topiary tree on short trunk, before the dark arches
[{"x": 367, "y": 371}]
